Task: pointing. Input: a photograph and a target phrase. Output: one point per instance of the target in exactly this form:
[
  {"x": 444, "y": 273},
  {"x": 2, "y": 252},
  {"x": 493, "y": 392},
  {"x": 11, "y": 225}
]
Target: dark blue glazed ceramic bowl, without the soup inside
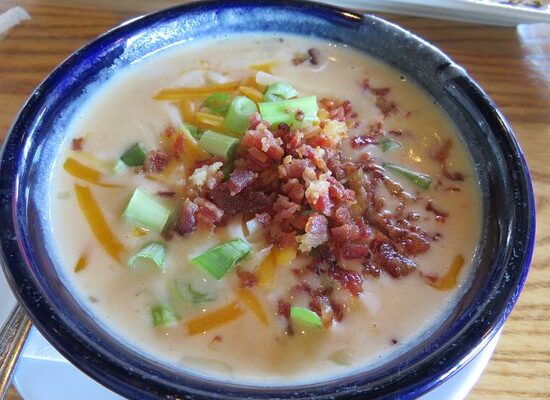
[{"x": 25, "y": 175}]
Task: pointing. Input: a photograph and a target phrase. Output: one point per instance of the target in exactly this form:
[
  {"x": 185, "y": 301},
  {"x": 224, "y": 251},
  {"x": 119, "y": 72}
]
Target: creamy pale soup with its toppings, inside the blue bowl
[{"x": 345, "y": 208}]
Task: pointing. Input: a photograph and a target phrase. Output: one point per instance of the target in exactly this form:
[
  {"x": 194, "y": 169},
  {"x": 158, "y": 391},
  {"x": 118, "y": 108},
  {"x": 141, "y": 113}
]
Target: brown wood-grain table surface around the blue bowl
[{"x": 513, "y": 65}]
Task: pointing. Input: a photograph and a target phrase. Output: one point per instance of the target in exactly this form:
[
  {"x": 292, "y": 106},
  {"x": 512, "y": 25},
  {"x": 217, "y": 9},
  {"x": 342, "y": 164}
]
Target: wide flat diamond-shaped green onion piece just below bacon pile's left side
[{"x": 218, "y": 260}]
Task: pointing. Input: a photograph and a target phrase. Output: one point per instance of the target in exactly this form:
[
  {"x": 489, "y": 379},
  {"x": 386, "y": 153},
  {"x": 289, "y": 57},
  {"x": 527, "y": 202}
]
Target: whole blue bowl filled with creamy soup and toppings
[{"x": 268, "y": 200}]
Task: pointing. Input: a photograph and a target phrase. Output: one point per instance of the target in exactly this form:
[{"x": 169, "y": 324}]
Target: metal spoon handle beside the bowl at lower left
[{"x": 12, "y": 338}]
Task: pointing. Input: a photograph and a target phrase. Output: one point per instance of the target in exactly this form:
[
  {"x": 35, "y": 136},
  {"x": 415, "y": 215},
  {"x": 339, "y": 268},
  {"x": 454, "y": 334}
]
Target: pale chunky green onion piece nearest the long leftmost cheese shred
[{"x": 146, "y": 211}]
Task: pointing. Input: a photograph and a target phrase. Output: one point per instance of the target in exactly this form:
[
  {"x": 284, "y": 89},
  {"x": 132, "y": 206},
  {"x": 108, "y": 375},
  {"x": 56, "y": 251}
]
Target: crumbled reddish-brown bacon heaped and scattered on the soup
[{"x": 305, "y": 194}]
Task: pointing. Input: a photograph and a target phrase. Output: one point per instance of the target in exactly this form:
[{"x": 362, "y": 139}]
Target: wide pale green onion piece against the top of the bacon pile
[{"x": 292, "y": 112}]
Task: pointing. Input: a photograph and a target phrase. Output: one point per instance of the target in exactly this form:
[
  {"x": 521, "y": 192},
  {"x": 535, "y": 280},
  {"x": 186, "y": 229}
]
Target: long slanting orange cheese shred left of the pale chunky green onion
[{"x": 97, "y": 222}]
